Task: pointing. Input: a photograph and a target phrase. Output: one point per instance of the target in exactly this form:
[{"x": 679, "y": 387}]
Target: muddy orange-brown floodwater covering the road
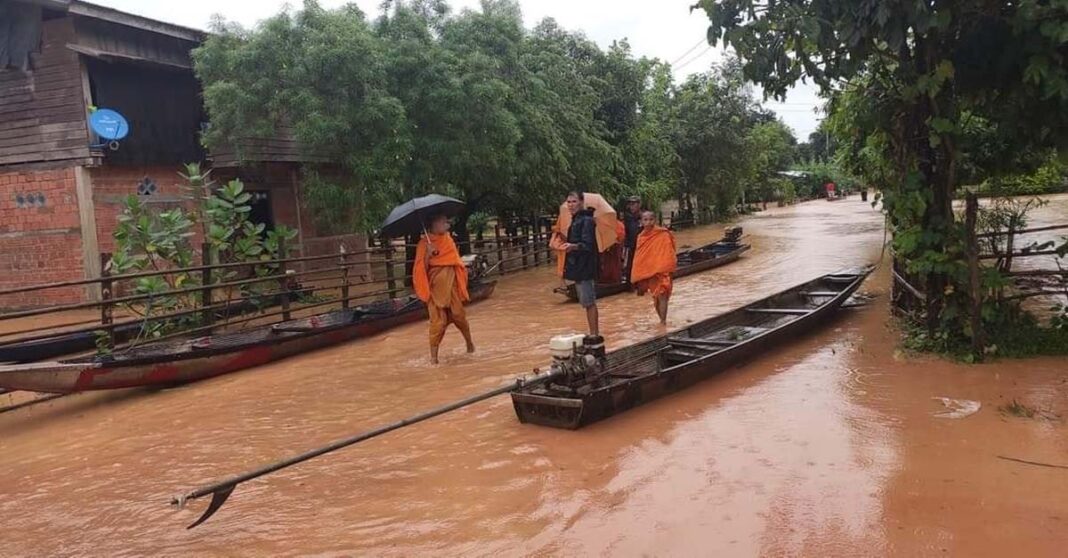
[{"x": 835, "y": 445}]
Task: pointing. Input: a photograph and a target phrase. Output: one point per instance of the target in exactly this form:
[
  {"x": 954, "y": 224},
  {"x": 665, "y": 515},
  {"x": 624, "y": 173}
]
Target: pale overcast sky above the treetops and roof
[{"x": 665, "y": 29}]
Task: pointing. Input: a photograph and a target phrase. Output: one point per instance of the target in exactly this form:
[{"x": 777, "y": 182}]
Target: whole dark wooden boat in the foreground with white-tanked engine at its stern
[{"x": 643, "y": 373}]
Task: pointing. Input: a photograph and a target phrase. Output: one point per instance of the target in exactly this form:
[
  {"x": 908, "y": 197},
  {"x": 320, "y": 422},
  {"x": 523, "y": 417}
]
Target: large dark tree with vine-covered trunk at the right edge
[{"x": 916, "y": 71}]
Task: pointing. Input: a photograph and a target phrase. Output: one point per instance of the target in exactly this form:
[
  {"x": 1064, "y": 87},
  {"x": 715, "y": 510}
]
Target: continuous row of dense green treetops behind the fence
[{"x": 474, "y": 105}]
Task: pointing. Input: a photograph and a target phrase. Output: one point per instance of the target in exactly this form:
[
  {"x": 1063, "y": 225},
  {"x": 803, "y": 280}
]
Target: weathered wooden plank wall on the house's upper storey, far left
[{"x": 43, "y": 112}]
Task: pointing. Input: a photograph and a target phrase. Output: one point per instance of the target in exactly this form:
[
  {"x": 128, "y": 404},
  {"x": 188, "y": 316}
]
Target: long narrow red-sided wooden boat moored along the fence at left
[{"x": 169, "y": 364}]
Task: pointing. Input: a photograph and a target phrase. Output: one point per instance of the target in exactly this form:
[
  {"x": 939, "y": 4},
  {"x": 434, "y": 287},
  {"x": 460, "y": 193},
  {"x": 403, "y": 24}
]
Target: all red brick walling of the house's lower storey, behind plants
[{"x": 41, "y": 241}]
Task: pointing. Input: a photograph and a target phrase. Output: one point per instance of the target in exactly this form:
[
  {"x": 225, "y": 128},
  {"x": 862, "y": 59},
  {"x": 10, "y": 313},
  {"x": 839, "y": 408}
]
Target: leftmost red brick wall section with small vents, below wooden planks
[{"x": 40, "y": 237}]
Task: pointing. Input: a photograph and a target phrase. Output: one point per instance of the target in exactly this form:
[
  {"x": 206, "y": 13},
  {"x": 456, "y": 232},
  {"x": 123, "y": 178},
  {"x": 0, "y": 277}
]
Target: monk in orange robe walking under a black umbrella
[{"x": 441, "y": 280}]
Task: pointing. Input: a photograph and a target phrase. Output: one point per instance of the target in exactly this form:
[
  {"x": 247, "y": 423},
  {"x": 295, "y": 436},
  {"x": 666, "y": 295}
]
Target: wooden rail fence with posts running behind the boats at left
[{"x": 279, "y": 292}]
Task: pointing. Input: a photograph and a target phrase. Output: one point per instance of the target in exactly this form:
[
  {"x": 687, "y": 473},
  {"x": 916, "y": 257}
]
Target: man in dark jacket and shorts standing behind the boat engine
[{"x": 580, "y": 265}]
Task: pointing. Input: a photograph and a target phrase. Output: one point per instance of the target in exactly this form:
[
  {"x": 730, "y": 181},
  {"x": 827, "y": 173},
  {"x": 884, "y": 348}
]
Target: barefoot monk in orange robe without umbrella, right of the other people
[{"x": 655, "y": 262}]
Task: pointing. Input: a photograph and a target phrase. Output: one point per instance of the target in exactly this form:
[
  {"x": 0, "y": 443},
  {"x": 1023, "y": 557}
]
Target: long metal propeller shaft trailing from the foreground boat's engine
[{"x": 222, "y": 491}]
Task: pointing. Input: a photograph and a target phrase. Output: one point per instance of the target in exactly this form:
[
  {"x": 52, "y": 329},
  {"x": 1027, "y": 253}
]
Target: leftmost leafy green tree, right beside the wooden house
[{"x": 321, "y": 74}]
